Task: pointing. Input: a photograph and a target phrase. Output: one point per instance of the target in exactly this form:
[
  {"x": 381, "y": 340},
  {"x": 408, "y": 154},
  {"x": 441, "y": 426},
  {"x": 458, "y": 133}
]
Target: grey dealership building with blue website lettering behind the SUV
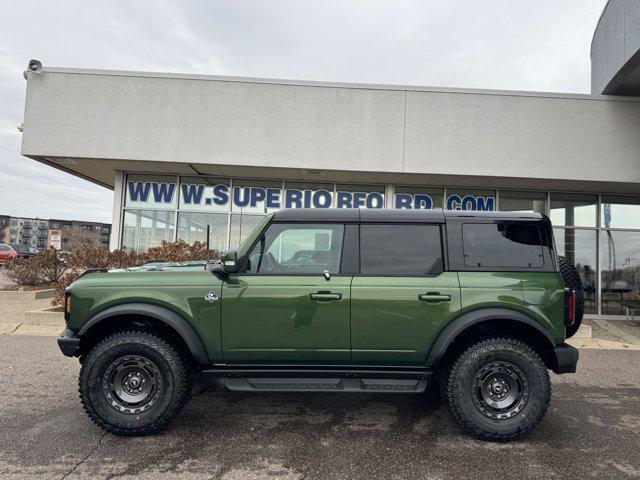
[{"x": 203, "y": 158}]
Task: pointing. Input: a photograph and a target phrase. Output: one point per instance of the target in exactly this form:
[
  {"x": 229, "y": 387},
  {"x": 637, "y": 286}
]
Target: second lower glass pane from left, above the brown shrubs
[{"x": 194, "y": 227}]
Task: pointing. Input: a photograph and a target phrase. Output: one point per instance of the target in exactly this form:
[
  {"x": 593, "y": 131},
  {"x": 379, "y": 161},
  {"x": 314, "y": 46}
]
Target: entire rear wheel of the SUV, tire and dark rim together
[{"x": 498, "y": 389}]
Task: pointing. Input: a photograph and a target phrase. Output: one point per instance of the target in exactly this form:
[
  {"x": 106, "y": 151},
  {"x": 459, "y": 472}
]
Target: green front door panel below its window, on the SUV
[{"x": 273, "y": 320}]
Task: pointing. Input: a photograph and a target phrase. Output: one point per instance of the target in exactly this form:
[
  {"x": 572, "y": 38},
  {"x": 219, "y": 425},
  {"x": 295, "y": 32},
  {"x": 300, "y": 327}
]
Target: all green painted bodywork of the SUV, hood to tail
[{"x": 372, "y": 321}]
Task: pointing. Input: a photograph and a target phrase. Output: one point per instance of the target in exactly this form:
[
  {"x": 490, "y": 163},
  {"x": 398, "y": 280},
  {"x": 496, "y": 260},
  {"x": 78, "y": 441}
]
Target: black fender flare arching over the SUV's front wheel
[{"x": 164, "y": 315}]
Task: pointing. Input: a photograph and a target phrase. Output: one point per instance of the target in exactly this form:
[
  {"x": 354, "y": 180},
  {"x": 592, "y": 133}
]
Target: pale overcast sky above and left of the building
[{"x": 505, "y": 44}]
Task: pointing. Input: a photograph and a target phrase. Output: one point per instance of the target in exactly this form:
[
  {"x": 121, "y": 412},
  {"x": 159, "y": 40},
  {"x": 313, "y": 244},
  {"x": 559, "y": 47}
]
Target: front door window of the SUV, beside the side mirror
[{"x": 298, "y": 248}]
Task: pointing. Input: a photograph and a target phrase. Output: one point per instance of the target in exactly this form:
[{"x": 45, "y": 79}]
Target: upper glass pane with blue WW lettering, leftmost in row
[{"x": 151, "y": 191}]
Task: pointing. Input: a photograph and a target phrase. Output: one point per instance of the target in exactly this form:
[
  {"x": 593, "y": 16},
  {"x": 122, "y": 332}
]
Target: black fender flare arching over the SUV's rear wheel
[{"x": 466, "y": 320}]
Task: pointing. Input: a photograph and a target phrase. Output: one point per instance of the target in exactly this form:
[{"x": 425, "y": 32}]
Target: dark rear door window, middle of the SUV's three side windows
[{"x": 402, "y": 250}]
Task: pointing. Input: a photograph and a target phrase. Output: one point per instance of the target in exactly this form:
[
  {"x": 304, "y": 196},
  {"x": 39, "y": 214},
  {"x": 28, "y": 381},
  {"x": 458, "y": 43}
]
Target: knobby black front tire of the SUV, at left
[{"x": 172, "y": 379}]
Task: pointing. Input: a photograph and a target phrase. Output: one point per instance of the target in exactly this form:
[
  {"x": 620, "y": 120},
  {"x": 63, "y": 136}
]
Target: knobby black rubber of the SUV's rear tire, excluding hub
[{"x": 462, "y": 395}]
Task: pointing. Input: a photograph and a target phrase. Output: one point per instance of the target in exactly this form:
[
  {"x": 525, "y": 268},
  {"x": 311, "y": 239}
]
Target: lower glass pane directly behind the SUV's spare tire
[{"x": 580, "y": 248}]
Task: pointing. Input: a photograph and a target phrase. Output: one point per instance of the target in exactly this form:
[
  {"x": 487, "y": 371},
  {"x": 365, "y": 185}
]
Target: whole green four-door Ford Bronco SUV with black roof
[{"x": 338, "y": 301}]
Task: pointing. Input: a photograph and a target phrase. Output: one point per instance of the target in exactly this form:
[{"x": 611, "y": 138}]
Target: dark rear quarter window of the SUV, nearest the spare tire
[{"x": 502, "y": 244}]
